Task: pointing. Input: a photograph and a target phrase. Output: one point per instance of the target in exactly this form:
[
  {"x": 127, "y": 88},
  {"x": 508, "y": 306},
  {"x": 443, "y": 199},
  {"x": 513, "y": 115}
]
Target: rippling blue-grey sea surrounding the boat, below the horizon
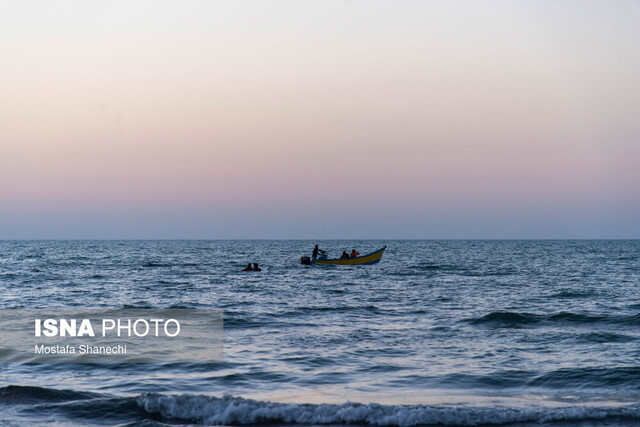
[{"x": 439, "y": 332}]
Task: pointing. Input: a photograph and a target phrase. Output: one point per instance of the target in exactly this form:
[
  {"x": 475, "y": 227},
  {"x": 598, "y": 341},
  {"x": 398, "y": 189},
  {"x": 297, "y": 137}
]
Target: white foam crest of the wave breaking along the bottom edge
[{"x": 237, "y": 410}]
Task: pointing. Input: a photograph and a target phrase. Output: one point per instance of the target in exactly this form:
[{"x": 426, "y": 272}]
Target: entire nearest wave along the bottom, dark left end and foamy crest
[{"x": 152, "y": 408}]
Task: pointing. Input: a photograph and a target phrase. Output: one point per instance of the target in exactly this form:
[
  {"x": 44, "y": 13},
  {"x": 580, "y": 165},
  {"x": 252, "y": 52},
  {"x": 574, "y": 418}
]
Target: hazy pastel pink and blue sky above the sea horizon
[{"x": 320, "y": 119}]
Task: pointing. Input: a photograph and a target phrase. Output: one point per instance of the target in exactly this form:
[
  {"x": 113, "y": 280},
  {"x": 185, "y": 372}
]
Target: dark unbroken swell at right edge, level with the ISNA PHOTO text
[{"x": 516, "y": 319}]
